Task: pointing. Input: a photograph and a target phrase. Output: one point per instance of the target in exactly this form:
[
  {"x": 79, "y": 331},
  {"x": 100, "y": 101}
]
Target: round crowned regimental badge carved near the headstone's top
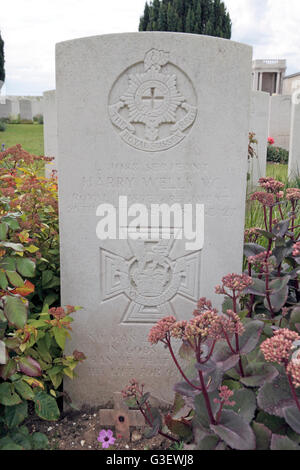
[{"x": 149, "y": 107}]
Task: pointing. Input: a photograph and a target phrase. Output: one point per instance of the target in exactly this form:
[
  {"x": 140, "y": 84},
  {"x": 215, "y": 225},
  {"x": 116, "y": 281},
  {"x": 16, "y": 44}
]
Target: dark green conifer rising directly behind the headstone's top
[{"x": 208, "y": 17}]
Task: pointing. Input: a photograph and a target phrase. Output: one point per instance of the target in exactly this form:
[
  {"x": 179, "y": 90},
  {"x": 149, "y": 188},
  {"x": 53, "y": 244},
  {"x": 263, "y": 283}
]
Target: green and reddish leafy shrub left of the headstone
[{"x": 32, "y": 335}]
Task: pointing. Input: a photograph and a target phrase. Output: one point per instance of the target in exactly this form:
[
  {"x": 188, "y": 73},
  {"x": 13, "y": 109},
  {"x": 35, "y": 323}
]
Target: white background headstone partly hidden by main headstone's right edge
[{"x": 259, "y": 121}]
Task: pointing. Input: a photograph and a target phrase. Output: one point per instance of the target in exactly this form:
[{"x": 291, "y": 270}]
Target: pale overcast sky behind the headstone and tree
[{"x": 31, "y": 28}]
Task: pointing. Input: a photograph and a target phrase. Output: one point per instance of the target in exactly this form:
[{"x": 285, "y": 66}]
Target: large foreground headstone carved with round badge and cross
[{"x": 148, "y": 116}]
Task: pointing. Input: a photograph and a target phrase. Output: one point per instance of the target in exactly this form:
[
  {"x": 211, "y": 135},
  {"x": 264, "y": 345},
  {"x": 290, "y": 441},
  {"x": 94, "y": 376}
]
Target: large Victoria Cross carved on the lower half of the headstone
[{"x": 150, "y": 279}]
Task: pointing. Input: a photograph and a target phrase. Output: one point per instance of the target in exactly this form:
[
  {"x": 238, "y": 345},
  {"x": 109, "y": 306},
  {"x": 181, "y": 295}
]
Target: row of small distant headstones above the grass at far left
[{"x": 25, "y": 107}]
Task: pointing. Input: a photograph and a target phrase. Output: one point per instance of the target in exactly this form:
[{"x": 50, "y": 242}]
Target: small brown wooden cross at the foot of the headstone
[{"x": 121, "y": 417}]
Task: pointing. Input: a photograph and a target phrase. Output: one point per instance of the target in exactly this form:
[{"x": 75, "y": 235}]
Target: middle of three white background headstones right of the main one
[{"x": 280, "y": 120}]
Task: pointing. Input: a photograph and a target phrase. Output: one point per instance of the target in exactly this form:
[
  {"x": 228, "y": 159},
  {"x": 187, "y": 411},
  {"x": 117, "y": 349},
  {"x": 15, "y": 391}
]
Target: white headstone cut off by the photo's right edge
[{"x": 294, "y": 156}]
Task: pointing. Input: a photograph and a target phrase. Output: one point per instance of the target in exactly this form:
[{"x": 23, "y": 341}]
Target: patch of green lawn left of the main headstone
[{"x": 30, "y": 136}]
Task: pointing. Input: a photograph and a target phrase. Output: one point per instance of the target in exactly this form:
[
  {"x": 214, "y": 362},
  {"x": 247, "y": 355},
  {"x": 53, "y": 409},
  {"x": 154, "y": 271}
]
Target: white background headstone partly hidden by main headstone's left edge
[{"x": 50, "y": 130}]
